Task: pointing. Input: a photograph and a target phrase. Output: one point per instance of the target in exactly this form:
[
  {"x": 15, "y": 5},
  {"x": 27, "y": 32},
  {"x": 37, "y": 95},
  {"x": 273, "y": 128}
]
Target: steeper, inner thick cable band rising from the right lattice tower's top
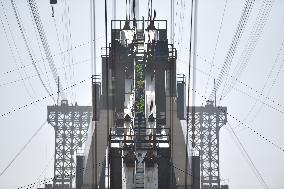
[{"x": 234, "y": 45}]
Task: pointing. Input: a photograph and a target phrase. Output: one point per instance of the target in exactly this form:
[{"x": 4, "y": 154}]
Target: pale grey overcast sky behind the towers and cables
[{"x": 256, "y": 99}]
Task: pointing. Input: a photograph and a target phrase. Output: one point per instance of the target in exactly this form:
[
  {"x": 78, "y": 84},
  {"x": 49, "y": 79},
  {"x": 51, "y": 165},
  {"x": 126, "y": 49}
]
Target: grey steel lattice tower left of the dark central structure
[{"x": 71, "y": 124}]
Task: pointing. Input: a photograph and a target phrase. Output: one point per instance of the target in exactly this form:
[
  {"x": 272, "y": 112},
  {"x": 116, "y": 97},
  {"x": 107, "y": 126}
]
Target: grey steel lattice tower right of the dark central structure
[{"x": 205, "y": 123}]
